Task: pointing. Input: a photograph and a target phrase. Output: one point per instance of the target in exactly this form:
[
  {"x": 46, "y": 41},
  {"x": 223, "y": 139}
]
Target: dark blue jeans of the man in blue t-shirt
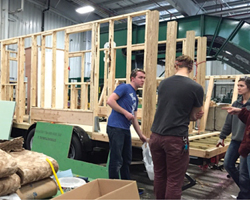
[{"x": 120, "y": 153}]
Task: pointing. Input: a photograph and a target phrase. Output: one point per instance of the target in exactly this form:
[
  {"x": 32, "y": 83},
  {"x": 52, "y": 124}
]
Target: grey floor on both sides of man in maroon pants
[{"x": 210, "y": 183}]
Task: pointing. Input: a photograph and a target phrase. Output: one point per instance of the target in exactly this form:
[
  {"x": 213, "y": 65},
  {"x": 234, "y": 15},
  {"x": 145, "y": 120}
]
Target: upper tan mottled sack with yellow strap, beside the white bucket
[{"x": 32, "y": 166}]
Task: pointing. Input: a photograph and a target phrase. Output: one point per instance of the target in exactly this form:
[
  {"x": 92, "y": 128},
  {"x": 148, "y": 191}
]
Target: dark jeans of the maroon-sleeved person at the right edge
[{"x": 244, "y": 179}]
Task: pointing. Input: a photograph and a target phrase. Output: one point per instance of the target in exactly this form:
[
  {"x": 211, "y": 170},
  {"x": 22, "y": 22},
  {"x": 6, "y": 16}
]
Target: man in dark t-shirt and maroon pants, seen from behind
[{"x": 180, "y": 101}]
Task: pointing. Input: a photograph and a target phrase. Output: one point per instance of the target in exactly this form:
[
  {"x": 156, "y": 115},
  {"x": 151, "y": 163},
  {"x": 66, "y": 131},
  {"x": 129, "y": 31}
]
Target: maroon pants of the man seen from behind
[{"x": 170, "y": 165}]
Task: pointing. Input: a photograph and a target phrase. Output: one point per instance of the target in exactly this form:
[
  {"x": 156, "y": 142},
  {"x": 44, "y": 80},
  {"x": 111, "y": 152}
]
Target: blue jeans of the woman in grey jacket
[{"x": 230, "y": 158}]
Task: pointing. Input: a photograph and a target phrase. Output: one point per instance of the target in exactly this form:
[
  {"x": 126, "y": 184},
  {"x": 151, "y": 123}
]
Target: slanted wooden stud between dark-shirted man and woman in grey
[{"x": 206, "y": 105}]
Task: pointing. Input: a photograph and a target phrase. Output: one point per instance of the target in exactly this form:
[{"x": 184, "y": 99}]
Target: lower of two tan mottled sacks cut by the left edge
[{"x": 9, "y": 184}]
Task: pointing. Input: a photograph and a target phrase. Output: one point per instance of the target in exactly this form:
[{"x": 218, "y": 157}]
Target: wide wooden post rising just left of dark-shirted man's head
[{"x": 170, "y": 48}]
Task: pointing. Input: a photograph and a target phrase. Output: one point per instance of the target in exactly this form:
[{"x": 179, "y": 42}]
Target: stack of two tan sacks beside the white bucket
[{"x": 34, "y": 171}]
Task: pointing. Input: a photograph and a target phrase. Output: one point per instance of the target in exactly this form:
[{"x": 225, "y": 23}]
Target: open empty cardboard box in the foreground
[{"x": 104, "y": 189}]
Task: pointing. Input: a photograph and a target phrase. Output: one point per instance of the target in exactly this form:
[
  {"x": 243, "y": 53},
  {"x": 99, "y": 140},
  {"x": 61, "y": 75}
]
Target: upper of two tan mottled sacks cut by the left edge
[{"x": 8, "y": 165}]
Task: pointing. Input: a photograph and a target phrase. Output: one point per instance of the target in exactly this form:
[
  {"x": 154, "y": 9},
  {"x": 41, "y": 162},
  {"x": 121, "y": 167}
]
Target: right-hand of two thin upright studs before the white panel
[{"x": 53, "y": 88}]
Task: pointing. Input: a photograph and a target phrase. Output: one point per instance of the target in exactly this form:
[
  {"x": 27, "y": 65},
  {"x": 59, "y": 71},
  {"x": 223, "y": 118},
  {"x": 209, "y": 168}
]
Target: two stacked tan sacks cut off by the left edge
[{"x": 9, "y": 180}]
